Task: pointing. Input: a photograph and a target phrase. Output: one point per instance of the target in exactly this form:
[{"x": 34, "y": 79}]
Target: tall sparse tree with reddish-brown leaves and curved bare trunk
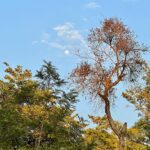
[{"x": 114, "y": 57}]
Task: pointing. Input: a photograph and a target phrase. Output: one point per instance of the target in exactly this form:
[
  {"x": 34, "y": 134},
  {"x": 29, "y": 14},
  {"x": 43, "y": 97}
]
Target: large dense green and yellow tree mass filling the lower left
[{"x": 32, "y": 117}]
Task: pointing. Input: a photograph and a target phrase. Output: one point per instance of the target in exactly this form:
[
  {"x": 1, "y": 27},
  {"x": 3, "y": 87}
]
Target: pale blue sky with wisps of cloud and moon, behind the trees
[{"x": 35, "y": 30}]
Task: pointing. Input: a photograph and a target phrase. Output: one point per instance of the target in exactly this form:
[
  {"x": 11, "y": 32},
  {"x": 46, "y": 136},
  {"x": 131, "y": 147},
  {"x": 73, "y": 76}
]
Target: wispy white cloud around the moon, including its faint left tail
[{"x": 67, "y": 39}]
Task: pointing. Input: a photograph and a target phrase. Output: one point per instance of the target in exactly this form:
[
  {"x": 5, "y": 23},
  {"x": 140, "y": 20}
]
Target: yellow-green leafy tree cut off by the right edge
[{"x": 140, "y": 97}]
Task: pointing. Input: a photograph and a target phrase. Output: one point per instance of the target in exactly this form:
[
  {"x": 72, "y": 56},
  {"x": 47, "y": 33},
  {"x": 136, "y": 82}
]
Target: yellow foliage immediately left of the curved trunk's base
[{"x": 100, "y": 137}]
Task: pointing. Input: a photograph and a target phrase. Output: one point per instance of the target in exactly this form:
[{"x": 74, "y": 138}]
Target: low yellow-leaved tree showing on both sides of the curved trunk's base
[{"x": 101, "y": 136}]
